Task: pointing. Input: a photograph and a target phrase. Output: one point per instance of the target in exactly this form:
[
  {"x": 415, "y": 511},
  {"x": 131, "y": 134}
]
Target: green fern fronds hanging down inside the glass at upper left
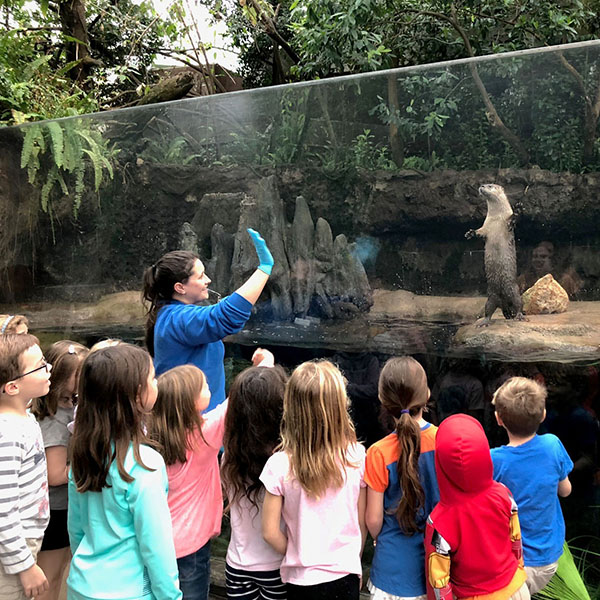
[{"x": 58, "y": 155}]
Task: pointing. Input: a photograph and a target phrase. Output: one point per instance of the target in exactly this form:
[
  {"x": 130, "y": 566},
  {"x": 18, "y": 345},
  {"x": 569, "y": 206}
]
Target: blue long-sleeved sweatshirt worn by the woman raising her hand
[{"x": 190, "y": 334}]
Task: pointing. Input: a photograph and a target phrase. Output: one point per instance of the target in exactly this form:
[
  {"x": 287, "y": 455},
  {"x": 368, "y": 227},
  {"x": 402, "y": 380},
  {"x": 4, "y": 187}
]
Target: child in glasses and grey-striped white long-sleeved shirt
[{"x": 24, "y": 511}]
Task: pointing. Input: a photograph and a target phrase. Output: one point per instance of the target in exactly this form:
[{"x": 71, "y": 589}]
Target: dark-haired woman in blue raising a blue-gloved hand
[{"x": 179, "y": 331}]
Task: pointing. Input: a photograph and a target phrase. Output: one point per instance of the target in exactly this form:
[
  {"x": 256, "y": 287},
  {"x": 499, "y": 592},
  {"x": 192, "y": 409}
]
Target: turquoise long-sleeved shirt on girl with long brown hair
[{"x": 121, "y": 537}]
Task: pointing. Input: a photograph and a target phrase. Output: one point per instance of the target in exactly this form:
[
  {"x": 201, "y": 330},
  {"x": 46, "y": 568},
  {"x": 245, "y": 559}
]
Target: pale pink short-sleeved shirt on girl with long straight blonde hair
[{"x": 324, "y": 538}]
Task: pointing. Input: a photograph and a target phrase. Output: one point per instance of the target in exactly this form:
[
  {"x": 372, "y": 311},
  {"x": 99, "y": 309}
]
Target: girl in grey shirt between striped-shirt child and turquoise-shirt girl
[{"x": 54, "y": 412}]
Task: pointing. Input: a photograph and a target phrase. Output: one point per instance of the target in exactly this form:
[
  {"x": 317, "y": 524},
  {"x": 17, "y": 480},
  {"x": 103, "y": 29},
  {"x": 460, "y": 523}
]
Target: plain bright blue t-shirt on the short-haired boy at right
[{"x": 531, "y": 472}]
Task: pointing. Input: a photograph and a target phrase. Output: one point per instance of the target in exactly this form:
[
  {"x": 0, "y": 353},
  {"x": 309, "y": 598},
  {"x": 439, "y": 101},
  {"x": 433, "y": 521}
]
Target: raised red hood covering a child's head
[{"x": 462, "y": 459}]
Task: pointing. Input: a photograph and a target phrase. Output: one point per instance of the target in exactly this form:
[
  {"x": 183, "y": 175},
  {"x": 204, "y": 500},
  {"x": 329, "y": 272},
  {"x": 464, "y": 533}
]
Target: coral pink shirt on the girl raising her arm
[{"x": 195, "y": 497}]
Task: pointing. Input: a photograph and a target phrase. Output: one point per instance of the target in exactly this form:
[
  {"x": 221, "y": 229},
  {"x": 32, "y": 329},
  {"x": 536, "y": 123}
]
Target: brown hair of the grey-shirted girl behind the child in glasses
[{"x": 65, "y": 357}]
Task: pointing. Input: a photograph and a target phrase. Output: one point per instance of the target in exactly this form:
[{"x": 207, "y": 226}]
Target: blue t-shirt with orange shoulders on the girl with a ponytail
[{"x": 399, "y": 561}]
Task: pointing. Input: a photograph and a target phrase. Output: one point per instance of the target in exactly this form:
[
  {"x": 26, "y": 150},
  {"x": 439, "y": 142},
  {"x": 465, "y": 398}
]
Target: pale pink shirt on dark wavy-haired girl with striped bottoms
[{"x": 247, "y": 549}]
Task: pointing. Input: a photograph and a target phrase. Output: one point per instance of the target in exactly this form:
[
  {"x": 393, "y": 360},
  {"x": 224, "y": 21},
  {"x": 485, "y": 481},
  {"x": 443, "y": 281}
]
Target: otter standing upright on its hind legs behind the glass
[{"x": 500, "y": 255}]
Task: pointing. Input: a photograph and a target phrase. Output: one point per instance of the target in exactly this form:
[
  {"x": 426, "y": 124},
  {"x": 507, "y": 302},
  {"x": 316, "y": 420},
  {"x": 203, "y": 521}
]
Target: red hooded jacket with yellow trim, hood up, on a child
[{"x": 473, "y": 540}]
